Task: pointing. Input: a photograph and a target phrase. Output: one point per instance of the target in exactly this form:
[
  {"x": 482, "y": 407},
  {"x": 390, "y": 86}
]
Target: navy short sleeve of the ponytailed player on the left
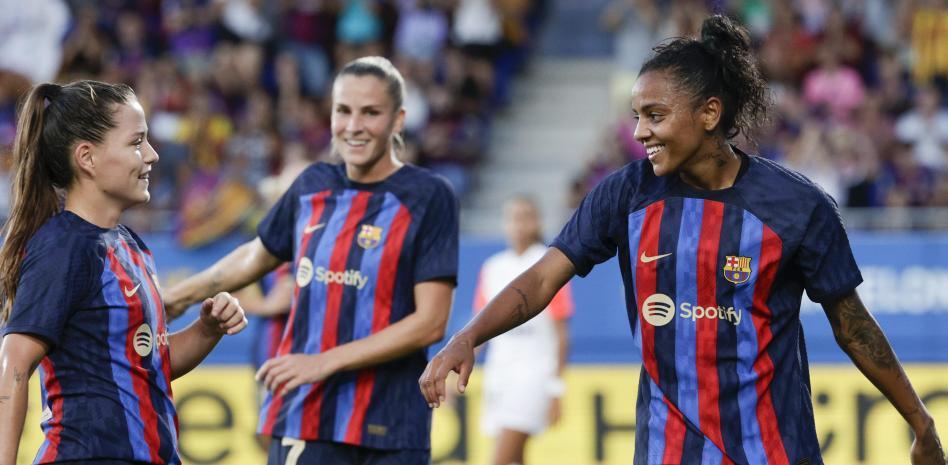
[{"x": 56, "y": 277}]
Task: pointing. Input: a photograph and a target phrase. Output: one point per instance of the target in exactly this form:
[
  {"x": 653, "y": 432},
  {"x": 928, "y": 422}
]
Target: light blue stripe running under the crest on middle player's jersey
[{"x": 365, "y": 308}]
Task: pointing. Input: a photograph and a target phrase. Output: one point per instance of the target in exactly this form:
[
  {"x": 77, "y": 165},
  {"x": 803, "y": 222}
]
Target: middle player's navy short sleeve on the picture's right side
[{"x": 437, "y": 238}]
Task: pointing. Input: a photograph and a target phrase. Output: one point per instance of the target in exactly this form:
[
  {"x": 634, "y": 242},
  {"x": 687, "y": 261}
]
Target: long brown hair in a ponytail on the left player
[{"x": 52, "y": 118}]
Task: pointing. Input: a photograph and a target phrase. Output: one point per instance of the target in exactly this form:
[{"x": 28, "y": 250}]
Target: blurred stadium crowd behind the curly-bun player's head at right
[{"x": 859, "y": 91}]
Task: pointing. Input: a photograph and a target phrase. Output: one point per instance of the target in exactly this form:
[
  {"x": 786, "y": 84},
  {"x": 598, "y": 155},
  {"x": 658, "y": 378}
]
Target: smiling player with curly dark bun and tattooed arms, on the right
[{"x": 716, "y": 248}]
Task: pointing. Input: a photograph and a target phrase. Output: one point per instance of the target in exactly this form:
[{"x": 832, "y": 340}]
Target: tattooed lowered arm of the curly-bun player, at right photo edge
[{"x": 859, "y": 335}]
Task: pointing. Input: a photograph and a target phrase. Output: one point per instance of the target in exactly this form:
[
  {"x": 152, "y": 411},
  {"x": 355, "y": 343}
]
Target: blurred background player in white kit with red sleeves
[{"x": 522, "y": 384}]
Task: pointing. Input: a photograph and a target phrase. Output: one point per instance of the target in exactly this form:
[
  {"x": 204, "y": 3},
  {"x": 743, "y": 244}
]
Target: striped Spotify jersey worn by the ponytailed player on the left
[{"x": 92, "y": 295}]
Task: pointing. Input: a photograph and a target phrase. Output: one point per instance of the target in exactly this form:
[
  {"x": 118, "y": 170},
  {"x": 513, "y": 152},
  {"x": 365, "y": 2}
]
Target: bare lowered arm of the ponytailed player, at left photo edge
[{"x": 19, "y": 355}]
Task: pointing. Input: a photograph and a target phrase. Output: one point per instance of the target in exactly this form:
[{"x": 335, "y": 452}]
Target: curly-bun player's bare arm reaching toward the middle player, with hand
[{"x": 522, "y": 299}]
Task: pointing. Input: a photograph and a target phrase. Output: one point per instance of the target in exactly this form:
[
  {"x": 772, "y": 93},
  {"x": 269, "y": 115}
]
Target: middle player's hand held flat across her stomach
[{"x": 283, "y": 374}]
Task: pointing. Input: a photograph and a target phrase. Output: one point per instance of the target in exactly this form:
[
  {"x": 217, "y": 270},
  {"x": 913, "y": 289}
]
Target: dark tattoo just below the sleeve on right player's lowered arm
[{"x": 858, "y": 333}]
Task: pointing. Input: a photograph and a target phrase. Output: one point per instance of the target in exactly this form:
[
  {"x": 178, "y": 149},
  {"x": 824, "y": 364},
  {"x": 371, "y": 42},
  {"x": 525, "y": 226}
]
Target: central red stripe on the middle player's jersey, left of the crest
[{"x": 312, "y": 405}]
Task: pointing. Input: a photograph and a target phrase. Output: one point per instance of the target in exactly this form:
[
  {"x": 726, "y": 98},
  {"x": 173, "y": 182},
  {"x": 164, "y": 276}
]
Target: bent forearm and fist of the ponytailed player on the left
[{"x": 220, "y": 316}]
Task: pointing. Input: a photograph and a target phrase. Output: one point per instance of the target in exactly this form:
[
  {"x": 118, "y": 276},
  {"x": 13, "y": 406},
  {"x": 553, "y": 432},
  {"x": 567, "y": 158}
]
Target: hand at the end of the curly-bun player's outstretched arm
[{"x": 457, "y": 356}]
